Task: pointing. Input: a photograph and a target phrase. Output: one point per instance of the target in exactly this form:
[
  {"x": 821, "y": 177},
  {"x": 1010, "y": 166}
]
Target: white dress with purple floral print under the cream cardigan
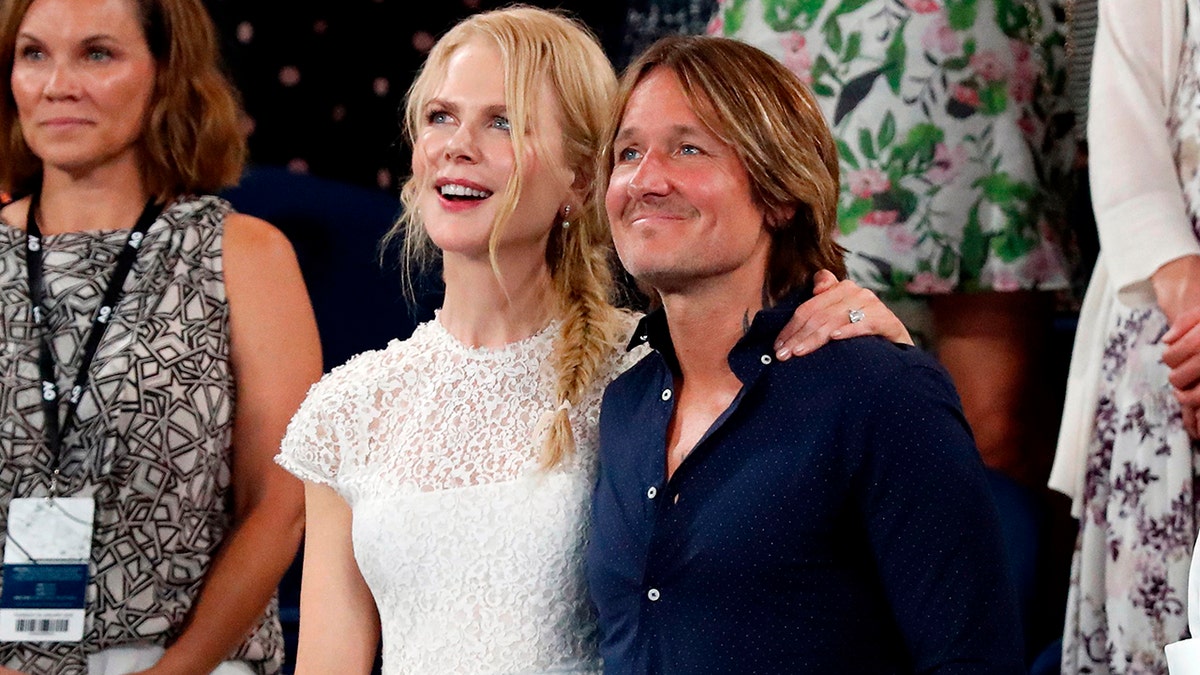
[{"x": 1139, "y": 519}]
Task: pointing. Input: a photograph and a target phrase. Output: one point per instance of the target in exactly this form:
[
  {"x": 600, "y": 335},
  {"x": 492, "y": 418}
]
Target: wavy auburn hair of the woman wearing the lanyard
[{"x": 193, "y": 140}]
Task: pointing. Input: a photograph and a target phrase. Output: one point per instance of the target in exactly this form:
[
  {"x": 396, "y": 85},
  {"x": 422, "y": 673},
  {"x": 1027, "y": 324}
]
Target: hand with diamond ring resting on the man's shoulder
[{"x": 826, "y": 316}]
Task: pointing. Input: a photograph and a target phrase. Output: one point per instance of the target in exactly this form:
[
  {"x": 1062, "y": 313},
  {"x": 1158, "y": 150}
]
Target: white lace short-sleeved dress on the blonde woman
[{"x": 475, "y": 555}]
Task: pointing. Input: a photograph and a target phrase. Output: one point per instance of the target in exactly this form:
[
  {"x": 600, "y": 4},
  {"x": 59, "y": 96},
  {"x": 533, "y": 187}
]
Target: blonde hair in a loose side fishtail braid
[{"x": 539, "y": 47}]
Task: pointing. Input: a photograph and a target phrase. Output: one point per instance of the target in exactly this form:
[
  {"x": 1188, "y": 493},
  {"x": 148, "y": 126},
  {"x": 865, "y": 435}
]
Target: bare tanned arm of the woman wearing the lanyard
[{"x": 277, "y": 357}]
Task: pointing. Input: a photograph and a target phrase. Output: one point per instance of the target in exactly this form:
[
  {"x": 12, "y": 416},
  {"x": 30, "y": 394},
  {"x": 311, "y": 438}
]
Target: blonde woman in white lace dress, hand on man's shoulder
[{"x": 448, "y": 477}]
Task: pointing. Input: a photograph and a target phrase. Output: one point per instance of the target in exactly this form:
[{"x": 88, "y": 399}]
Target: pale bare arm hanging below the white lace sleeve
[{"x": 339, "y": 620}]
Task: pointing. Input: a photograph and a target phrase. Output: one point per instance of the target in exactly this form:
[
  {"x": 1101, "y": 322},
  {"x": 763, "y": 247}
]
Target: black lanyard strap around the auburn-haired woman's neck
[{"x": 55, "y": 431}]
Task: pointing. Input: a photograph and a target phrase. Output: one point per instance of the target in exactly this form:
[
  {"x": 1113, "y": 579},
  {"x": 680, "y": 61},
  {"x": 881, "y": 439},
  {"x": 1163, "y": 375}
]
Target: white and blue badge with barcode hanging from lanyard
[{"x": 46, "y": 570}]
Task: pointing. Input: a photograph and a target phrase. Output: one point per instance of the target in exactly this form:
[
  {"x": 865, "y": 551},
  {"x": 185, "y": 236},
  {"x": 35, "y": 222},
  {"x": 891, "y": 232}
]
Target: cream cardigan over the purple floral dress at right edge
[{"x": 1136, "y": 190}]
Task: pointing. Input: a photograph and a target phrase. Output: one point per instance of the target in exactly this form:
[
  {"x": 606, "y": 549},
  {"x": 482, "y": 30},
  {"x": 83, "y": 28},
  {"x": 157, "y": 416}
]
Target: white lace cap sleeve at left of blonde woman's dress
[{"x": 328, "y": 429}]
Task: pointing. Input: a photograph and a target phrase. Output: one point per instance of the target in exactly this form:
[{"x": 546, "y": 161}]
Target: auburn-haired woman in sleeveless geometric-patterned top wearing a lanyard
[{"x": 115, "y": 107}]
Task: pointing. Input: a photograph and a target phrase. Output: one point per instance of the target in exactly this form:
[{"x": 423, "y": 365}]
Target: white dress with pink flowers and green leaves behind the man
[{"x": 953, "y": 132}]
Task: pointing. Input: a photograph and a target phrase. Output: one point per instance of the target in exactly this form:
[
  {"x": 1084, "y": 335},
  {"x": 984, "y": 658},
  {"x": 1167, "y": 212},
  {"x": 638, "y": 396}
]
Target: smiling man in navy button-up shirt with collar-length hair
[{"x": 826, "y": 515}]
